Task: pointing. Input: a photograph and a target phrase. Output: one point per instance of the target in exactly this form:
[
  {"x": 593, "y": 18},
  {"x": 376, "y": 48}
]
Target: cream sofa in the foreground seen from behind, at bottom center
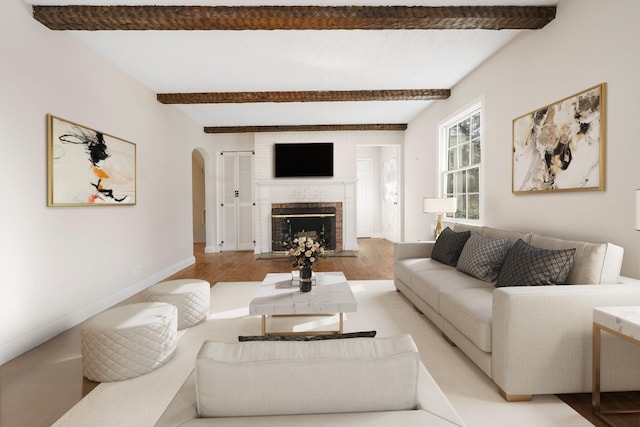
[{"x": 337, "y": 382}]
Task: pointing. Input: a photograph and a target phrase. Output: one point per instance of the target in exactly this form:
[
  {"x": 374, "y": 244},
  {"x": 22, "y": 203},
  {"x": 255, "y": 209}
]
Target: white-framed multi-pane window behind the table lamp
[{"x": 460, "y": 170}]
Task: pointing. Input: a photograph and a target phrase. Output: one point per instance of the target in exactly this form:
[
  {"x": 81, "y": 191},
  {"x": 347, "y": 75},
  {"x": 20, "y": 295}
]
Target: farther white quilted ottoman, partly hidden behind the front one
[{"x": 191, "y": 296}]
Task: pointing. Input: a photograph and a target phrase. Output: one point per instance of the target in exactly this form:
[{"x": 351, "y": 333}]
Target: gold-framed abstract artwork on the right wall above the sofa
[{"x": 561, "y": 147}]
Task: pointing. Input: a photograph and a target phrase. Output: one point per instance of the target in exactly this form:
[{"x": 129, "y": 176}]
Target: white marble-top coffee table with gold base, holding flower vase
[{"x": 276, "y": 297}]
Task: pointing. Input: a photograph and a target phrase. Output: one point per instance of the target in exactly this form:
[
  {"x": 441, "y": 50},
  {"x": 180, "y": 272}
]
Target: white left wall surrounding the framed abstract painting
[{"x": 63, "y": 264}]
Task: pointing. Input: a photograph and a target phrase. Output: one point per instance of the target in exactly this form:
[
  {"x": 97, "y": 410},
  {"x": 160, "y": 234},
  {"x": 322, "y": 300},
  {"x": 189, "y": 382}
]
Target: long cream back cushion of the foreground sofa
[{"x": 261, "y": 378}]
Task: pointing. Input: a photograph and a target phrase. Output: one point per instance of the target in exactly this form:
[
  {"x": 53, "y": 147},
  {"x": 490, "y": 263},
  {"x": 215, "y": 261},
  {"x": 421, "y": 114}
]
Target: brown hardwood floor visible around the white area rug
[{"x": 42, "y": 384}]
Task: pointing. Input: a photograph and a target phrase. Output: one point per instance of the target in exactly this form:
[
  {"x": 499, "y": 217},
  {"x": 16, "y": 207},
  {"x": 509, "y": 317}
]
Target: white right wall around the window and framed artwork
[{"x": 589, "y": 42}]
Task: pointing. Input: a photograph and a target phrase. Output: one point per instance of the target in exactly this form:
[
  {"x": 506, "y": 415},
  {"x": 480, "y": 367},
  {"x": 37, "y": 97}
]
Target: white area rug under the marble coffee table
[{"x": 140, "y": 401}]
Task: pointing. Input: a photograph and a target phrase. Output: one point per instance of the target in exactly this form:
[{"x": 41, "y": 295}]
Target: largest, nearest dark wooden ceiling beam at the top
[{"x": 94, "y": 18}]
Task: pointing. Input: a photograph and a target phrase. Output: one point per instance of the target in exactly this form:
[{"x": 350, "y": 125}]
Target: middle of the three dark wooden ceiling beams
[{"x": 304, "y": 96}]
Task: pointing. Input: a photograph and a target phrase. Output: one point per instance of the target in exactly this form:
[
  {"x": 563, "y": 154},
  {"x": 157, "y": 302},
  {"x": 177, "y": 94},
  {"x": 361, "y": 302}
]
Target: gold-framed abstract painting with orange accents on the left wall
[{"x": 87, "y": 167}]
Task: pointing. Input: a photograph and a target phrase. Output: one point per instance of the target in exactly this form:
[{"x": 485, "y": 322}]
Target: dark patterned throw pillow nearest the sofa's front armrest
[{"x": 526, "y": 265}]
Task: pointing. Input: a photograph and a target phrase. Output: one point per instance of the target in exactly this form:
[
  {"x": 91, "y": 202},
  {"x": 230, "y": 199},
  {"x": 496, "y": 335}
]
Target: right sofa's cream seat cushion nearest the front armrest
[{"x": 470, "y": 312}]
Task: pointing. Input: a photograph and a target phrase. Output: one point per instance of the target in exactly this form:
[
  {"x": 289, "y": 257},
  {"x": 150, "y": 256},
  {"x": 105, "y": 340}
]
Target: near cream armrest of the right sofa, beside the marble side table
[{"x": 542, "y": 339}]
